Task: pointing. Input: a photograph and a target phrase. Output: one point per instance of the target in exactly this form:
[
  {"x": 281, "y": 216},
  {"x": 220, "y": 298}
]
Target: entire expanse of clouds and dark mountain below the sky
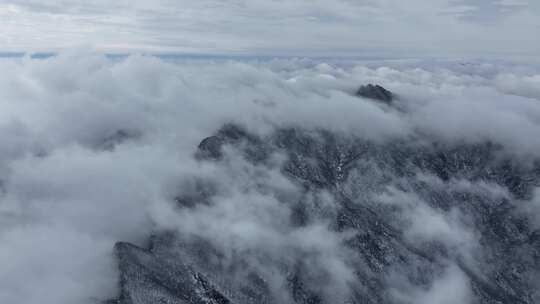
[{"x": 143, "y": 180}]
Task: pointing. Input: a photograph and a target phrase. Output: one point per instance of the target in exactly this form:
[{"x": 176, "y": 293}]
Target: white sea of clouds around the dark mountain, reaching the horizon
[{"x": 94, "y": 148}]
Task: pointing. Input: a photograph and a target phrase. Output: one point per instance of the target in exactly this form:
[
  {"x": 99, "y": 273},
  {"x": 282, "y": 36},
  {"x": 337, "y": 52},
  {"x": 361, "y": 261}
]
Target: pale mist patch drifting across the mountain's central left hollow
[{"x": 249, "y": 219}]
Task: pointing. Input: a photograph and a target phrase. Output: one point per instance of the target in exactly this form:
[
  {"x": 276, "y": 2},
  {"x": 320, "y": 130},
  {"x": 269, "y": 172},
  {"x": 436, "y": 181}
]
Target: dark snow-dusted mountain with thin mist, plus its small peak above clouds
[{"x": 411, "y": 220}]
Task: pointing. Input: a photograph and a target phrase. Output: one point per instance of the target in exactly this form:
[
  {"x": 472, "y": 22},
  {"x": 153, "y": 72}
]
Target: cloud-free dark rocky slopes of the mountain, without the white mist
[{"x": 503, "y": 266}]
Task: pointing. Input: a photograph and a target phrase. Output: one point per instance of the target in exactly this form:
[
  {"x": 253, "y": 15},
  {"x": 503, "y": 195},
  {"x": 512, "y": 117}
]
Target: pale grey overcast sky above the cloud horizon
[{"x": 275, "y": 27}]
